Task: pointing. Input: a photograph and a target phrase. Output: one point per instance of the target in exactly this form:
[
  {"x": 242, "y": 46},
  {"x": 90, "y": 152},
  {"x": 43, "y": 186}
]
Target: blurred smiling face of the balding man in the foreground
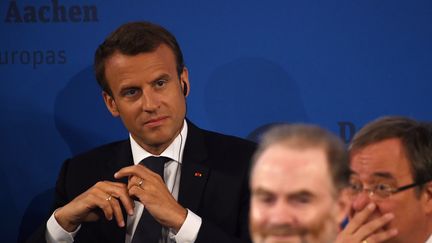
[{"x": 293, "y": 197}]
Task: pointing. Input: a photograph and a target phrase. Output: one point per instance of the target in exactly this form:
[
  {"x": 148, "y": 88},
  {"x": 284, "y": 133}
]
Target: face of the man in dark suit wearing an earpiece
[{"x": 147, "y": 95}]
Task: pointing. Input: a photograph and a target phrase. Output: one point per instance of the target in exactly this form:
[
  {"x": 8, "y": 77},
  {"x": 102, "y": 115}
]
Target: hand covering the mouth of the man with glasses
[{"x": 358, "y": 230}]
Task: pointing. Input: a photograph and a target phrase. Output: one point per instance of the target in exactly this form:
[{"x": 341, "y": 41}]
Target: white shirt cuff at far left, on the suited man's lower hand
[{"x": 55, "y": 233}]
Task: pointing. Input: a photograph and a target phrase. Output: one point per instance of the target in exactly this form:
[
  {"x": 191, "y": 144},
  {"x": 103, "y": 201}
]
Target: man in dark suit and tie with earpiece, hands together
[{"x": 201, "y": 194}]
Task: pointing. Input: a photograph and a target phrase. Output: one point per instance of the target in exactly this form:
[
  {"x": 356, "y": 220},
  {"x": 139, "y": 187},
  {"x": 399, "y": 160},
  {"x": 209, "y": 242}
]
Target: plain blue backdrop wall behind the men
[{"x": 335, "y": 63}]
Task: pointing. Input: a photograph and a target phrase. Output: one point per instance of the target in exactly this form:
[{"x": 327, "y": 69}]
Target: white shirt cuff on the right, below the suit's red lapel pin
[{"x": 189, "y": 230}]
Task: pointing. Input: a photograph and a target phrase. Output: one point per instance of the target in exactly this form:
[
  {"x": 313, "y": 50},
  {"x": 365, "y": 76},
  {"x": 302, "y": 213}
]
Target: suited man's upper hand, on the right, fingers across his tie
[{"x": 154, "y": 195}]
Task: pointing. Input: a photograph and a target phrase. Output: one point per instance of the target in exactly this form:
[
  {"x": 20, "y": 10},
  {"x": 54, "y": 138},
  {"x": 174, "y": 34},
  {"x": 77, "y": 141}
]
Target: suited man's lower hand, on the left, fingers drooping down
[{"x": 104, "y": 195}]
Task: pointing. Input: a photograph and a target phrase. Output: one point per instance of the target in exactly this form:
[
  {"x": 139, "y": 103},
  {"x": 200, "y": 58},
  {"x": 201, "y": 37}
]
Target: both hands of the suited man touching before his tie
[{"x": 143, "y": 185}]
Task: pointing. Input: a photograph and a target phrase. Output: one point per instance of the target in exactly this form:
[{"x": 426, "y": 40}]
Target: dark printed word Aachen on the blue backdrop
[{"x": 54, "y": 13}]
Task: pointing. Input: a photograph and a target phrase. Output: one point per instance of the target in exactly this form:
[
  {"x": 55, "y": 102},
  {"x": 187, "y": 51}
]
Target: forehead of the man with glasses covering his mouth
[{"x": 386, "y": 157}]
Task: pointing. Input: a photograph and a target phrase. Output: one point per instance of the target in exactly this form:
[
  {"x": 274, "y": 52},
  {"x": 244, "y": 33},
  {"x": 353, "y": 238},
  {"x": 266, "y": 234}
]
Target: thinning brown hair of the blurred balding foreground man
[{"x": 304, "y": 136}]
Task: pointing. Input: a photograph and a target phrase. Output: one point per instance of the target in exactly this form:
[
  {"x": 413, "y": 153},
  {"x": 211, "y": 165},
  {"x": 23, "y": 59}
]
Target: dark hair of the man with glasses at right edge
[{"x": 416, "y": 139}]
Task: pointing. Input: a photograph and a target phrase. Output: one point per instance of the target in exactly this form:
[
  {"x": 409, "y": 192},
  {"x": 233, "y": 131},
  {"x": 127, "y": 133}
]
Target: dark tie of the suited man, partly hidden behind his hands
[{"x": 148, "y": 229}]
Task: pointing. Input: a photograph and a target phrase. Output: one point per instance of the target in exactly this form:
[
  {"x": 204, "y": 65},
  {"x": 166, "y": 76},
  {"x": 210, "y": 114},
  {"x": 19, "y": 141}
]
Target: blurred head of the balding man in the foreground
[{"x": 297, "y": 177}]
